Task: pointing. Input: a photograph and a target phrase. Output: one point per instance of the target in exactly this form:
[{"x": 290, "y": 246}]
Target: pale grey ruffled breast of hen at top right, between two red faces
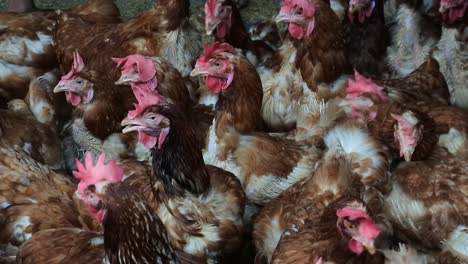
[{"x": 414, "y": 36}]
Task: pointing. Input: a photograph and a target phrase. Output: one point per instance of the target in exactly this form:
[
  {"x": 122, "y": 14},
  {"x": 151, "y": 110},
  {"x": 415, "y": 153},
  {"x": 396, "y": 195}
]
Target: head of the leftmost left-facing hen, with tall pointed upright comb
[{"x": 77, "y": 89}]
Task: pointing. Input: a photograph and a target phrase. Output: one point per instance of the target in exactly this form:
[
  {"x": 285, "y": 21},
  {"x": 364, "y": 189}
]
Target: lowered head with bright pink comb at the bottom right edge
[{"x": 356, "y": 225}]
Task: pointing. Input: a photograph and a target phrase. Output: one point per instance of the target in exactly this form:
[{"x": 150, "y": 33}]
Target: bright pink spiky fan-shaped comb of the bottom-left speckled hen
[{"x": 89, "y": 174}]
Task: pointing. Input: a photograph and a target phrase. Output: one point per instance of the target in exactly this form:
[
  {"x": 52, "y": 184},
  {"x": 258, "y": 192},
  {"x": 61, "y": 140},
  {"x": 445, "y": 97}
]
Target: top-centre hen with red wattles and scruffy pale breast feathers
[{"x": 313, "y": 53}]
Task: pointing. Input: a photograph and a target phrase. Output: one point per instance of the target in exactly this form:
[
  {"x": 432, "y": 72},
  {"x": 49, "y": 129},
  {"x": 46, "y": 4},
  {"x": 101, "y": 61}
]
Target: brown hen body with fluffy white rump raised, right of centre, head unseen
[{"x": 306, "y": 199}]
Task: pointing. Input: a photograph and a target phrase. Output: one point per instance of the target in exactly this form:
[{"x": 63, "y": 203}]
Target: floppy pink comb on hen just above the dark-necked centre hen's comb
[{"x": 146, "y": 67}]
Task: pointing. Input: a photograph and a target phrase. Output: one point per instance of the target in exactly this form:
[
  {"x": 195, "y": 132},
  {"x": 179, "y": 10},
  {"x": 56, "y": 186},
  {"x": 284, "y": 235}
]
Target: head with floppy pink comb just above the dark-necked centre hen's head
[{"x": 136, "y": 69}]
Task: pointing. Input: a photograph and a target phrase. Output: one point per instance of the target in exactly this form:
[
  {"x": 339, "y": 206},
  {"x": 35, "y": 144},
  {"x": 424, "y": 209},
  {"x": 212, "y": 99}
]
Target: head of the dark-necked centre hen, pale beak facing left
[{"x": 152, "y": 127}]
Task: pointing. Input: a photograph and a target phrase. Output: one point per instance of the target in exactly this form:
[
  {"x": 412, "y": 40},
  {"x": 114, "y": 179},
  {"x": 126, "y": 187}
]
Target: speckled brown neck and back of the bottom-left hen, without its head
[{"x": 125, "y": 209}]
